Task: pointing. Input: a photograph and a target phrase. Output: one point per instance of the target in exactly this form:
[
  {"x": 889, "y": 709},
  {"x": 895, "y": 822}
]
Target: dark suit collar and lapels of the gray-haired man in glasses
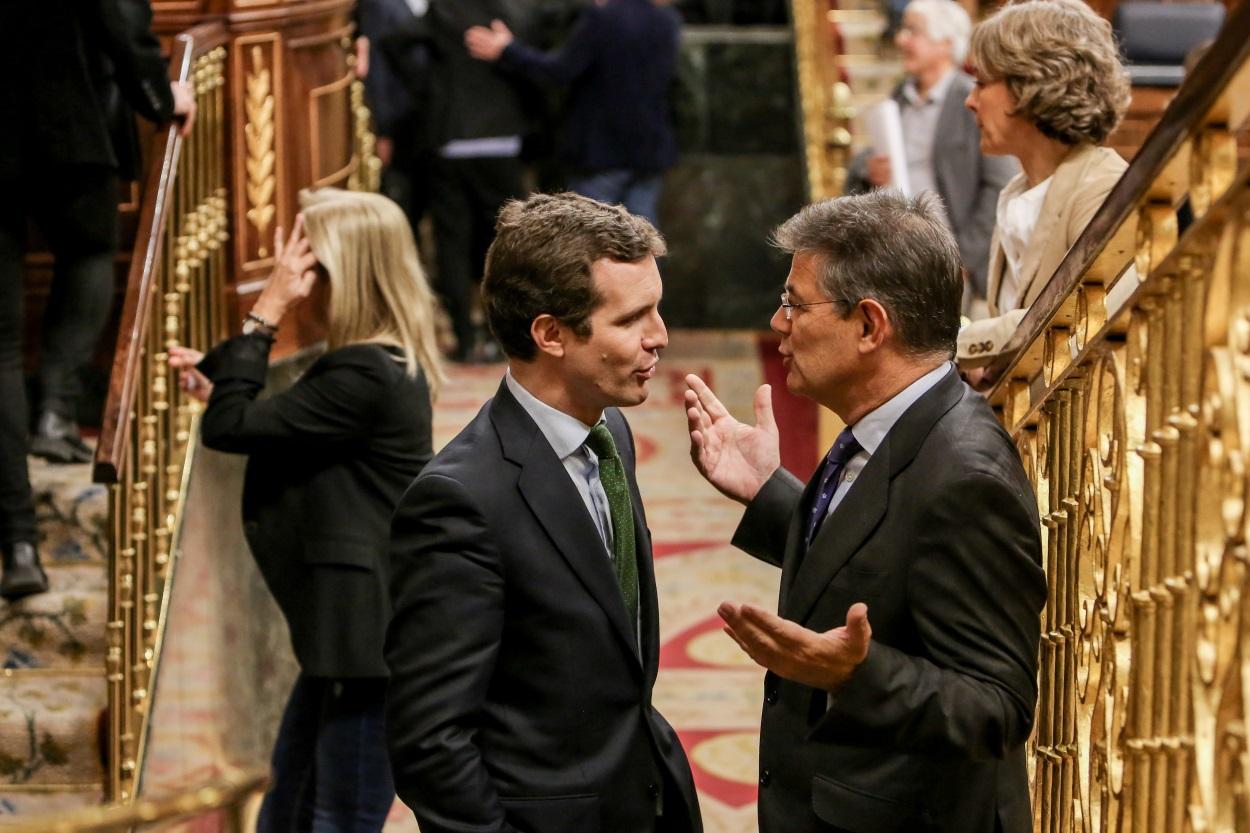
[{"x": 852, "y": 523}]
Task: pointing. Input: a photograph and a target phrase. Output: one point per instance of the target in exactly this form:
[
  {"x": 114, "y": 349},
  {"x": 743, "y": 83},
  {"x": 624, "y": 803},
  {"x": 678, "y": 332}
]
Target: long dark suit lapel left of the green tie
[{"x": 547, "y": 490}]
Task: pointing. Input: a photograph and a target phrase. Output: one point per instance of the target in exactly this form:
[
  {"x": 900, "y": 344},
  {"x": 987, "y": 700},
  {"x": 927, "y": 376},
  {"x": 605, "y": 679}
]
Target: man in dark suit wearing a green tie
[{"x": 526, "y": 636}]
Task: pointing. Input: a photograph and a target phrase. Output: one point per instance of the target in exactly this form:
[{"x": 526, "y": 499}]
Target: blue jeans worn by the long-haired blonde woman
[{"x": 331, "y": 769}]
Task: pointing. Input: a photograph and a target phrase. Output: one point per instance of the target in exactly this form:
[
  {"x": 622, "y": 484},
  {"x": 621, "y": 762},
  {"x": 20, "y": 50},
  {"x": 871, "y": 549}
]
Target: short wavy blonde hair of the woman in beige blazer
[{"x": 1061, "y": 64}]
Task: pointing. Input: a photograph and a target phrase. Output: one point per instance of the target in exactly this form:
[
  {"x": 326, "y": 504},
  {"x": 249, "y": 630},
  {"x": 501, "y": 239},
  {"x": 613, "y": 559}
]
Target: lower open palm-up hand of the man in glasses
[{"x": 823, "y": 661}]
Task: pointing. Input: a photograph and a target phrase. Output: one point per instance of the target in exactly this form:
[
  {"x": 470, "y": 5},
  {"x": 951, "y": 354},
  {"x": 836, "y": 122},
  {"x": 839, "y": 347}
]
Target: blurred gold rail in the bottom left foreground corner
[{"x": 231, "y": 796}]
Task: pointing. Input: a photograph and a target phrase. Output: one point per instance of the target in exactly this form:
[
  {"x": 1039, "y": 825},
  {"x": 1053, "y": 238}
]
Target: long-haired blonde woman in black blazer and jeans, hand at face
[{"x": 328, "y": 462}]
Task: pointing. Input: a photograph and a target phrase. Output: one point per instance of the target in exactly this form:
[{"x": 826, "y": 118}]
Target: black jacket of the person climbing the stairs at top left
[{"x": 72, "y": 67}]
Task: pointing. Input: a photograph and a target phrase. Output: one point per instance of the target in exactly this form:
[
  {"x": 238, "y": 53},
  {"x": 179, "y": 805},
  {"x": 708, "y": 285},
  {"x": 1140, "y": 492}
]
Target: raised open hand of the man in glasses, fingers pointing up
[{"x": 736, "y": 458}]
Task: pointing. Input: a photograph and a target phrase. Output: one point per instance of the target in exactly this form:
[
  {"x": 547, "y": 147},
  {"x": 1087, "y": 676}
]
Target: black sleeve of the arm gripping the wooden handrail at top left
[{"x": 142, "y": 73}]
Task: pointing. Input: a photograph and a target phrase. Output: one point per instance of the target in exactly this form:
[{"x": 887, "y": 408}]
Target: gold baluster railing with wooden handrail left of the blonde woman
[{"x": 174, "y": 296}]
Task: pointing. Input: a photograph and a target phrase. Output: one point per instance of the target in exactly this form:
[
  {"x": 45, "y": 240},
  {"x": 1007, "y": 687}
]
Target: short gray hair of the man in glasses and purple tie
[{"x": 893, "y": 250}]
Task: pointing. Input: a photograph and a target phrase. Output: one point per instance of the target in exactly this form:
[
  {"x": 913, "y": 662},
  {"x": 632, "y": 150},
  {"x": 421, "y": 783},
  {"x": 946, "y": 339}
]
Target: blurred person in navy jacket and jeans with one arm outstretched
[{"x": 619, "y": 59}]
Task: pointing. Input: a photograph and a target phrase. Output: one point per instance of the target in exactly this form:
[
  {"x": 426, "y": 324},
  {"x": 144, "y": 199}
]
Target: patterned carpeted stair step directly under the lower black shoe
[{"x": 61, "y": 630}]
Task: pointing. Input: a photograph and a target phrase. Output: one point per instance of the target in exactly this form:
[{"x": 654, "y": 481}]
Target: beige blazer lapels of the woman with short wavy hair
[{"x": 1043, "y": 257}]
